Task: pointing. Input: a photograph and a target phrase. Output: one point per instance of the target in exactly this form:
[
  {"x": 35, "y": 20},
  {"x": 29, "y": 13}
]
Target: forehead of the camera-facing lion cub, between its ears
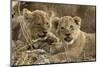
[{"x": 67, "y": 20}]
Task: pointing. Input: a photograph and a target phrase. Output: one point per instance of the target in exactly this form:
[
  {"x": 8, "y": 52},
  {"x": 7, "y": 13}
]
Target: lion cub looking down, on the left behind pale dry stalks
[{"x": 33, "y": 25}]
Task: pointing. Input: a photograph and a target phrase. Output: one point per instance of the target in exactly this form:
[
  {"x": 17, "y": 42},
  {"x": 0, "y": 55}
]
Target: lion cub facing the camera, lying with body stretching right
[{"x": 77, "y": 44}]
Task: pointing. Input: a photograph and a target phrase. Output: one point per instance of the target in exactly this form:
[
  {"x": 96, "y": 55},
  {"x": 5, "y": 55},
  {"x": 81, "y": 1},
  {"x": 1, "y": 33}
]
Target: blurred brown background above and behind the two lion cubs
[{"x": 86, "y": 12}]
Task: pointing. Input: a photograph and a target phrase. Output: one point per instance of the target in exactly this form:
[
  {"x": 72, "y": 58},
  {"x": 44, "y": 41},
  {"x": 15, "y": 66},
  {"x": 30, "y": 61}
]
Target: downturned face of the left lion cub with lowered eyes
[{"x": 37, "y": 22}]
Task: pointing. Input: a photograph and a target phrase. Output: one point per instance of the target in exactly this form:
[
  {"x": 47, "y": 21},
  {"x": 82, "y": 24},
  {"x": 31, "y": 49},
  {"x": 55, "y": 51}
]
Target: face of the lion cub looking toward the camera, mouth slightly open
[{"x": 68, "y": 28}]
